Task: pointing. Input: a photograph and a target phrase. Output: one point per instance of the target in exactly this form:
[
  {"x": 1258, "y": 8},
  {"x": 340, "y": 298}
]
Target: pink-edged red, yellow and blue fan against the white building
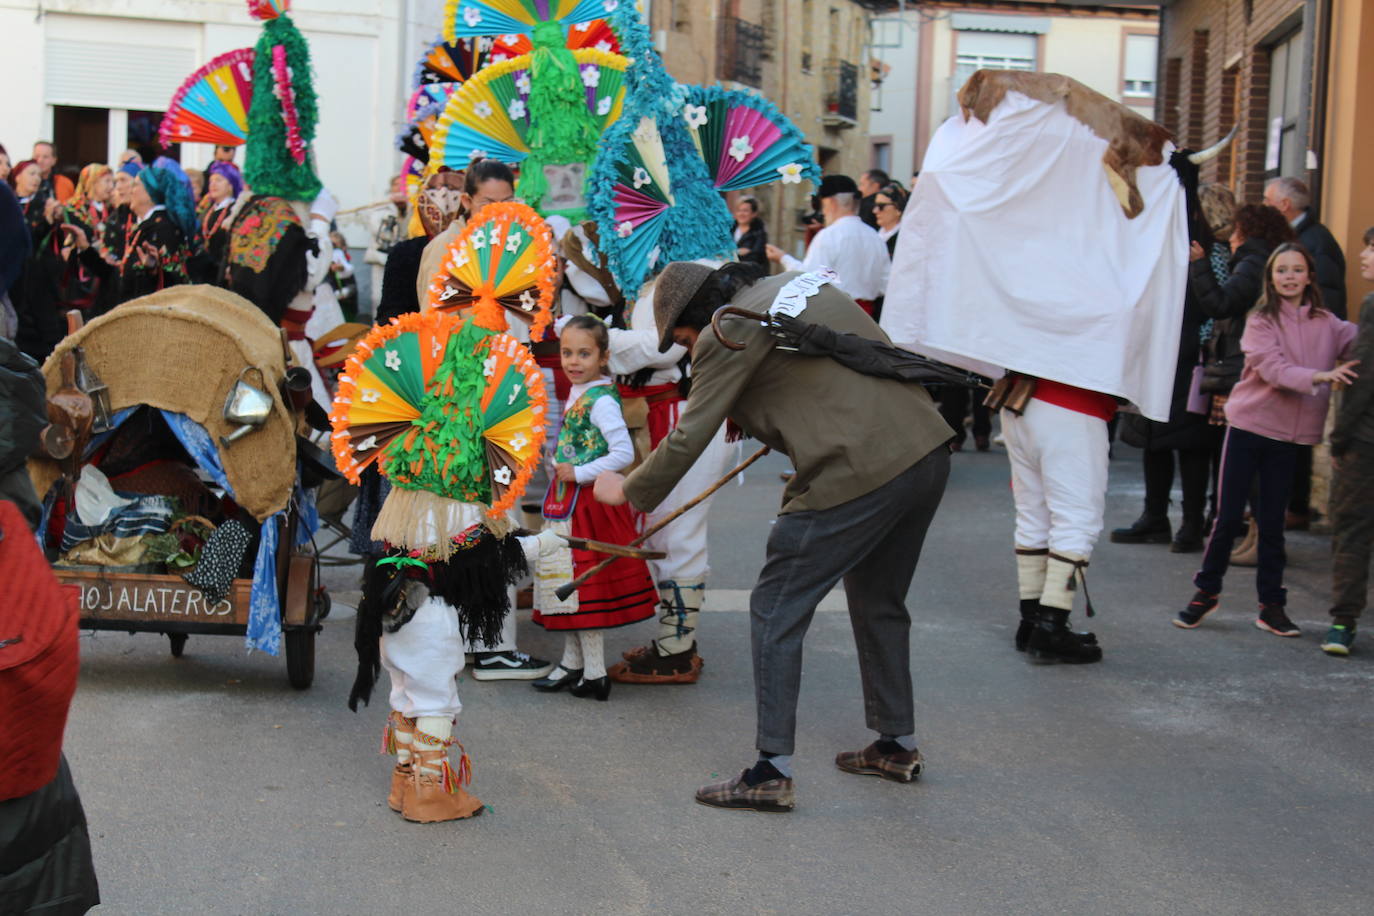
[{"x": 212, "y": 106}]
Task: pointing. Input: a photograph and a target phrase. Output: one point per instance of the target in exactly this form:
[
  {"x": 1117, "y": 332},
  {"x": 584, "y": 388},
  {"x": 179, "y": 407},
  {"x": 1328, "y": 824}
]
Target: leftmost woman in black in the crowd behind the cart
[{"x": 35, "y": 295}]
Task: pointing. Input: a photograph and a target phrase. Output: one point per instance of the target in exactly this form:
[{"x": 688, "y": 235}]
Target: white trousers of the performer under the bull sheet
[{"x": 1059, "y": 477}]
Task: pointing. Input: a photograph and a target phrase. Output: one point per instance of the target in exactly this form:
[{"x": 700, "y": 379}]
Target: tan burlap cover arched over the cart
[{"x": 182, "y": 350}]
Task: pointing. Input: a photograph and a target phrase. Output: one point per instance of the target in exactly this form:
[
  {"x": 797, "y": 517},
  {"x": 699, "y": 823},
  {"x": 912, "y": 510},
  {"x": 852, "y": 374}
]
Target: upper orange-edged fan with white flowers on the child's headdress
[{"x": 502, "y": 262}]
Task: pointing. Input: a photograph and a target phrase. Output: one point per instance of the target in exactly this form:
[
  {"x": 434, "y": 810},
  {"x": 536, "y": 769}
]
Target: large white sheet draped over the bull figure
[{"x": 1016, "y": 255}]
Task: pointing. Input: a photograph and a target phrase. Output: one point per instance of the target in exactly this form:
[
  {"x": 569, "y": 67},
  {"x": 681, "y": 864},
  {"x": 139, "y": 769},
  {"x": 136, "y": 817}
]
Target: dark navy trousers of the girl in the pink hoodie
[{"x": 1244, "y": 458}]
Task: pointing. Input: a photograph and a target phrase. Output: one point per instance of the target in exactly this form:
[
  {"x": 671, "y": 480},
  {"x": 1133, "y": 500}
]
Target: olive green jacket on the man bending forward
[{"x": 846, "y": 433}]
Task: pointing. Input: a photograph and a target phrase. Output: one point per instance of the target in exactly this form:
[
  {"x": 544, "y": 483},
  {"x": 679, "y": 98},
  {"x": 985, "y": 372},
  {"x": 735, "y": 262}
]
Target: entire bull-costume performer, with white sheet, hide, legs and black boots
[{"x": 1048, "y": 238}]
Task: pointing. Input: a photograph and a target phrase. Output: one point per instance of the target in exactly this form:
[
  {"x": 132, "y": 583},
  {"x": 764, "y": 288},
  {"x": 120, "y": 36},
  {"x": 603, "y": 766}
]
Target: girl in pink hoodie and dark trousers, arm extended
[{"x": 1295, "y": 350}]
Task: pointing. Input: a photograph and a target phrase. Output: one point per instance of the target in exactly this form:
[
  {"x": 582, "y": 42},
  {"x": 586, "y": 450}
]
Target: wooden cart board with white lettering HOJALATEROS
[{"x": 153, "y": 598}]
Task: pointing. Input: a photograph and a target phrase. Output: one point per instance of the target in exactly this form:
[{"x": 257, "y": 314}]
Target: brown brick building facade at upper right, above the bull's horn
[{"x": 1211, "y": 47}]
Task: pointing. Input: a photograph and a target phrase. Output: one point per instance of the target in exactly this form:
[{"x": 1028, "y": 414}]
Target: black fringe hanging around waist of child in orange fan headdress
[{"x": 475, "y": 580}]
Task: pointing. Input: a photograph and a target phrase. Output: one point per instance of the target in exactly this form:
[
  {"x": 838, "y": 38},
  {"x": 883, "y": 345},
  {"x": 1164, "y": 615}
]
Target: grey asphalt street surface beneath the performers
[{"x": 1219, "y": 771}]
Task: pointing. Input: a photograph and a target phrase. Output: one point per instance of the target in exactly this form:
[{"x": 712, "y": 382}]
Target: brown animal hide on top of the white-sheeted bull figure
[{"x": 1133, "y": 141}]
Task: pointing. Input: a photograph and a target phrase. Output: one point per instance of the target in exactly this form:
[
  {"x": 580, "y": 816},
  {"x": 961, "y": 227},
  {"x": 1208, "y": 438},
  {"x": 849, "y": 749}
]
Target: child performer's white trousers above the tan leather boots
[{"x": 424, "y": 660}]
